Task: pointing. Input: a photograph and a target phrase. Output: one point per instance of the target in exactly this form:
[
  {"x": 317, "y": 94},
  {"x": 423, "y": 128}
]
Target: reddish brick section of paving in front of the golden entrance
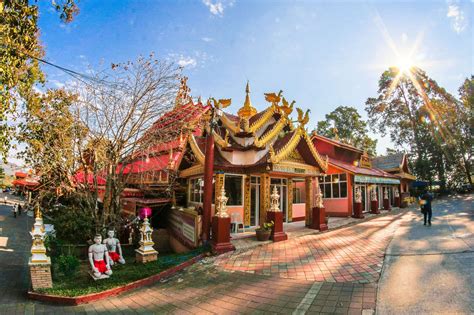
[{"x": 353, "y": 254}]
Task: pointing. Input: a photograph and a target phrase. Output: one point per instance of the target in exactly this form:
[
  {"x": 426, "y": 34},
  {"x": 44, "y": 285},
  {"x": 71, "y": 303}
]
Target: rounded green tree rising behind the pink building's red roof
[{"x": 347, "y": 125}]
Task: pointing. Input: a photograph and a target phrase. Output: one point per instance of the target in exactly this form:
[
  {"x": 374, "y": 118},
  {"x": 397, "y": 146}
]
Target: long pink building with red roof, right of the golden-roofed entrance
[{"x": 350, "y": 169}]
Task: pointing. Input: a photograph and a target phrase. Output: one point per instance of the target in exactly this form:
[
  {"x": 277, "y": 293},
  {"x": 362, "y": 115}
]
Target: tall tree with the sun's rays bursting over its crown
[{"x": 415, "y": 111}]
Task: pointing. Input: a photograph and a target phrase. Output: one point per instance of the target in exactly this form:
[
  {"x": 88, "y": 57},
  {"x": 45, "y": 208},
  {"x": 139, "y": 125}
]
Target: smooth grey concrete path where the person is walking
[{"x": 430, "y": 270}]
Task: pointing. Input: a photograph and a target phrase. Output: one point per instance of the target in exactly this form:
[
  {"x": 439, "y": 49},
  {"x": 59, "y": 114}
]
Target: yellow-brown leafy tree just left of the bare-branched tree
[{"x": 51, "y": 134}]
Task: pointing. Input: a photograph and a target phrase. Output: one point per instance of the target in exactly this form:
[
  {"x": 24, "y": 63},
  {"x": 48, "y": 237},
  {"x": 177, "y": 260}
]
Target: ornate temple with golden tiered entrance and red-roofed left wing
[{"x": 253, "y": 152}]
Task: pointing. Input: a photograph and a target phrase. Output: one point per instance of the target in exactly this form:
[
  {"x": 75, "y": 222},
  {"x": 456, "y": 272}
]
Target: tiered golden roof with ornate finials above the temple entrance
[{"x": 270, "y": 134}]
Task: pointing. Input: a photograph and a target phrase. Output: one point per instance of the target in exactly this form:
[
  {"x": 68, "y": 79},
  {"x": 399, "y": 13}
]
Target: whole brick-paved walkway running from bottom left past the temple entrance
[{"x": 343, "y": 258}]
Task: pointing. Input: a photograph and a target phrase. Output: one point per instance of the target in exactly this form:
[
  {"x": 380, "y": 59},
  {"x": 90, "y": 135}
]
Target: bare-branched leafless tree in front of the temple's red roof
[{"x": 117, "y": 113}]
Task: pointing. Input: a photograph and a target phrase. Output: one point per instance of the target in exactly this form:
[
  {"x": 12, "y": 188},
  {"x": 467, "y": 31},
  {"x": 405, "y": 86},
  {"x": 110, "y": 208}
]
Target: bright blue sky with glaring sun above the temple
[{"x": 321, "y": 54}]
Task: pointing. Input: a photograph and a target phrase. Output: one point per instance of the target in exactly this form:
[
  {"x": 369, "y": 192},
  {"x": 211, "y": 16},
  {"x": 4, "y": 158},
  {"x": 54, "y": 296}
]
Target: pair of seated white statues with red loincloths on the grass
[{"x": 104, "y": 254}]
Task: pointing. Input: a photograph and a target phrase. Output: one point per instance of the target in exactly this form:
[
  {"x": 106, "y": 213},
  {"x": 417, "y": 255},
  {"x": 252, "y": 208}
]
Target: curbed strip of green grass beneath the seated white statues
[{"x": 82, "y": 283}]
